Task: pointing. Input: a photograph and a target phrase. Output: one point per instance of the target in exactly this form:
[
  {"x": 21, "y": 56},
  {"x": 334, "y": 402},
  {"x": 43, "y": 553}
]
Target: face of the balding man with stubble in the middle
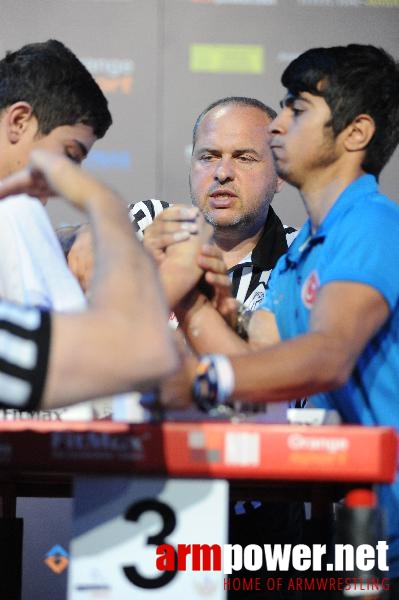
[{"x": 232, "y": 174}]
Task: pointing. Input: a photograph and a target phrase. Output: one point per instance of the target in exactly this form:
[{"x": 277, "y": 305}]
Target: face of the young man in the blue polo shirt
[{"x": 302, "y": 140}]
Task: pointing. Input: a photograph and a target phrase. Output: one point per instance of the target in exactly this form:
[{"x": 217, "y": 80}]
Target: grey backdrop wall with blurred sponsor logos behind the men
[{"x": 160, "y": 62}]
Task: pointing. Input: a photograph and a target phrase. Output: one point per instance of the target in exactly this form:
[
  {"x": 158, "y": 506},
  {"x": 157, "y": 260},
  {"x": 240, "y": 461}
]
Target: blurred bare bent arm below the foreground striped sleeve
[{"x": 123, "y": 339}]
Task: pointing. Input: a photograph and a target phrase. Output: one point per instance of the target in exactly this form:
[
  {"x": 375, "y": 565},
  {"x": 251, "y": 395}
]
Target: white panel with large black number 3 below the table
[{"x": 120, "y": 521}]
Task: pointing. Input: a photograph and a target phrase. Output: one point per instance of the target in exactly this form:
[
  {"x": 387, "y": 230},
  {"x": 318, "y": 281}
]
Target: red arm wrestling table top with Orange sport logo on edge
[{"x": 317, "y": 464}]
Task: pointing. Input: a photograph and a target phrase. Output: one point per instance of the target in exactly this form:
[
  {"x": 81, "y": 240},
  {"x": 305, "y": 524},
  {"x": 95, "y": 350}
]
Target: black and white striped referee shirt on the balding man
[{"x": 249, "y": 277}]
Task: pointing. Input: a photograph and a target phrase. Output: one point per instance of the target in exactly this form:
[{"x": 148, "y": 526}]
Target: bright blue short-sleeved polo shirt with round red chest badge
[{"x": 357, "y": 241}]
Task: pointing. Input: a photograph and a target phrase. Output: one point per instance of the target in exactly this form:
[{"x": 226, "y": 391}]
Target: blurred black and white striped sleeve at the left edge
[{"x": 24, "y": 350}]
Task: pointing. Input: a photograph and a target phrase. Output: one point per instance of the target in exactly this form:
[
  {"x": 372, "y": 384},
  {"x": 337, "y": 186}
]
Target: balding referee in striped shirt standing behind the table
[{"x": 233, "y": 181}]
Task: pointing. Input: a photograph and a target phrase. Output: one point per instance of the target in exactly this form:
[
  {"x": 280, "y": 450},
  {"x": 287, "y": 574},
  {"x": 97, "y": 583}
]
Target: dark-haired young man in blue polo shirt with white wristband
[{"x": 329, "y": 326}]
